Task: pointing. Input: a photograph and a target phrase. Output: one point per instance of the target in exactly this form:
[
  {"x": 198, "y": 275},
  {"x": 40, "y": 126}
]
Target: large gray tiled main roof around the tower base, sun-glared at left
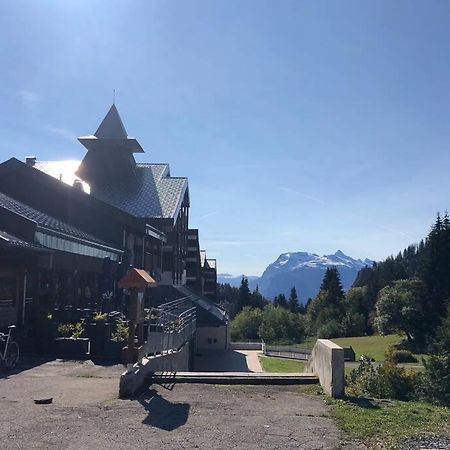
[{"x": 150, "y": 193}]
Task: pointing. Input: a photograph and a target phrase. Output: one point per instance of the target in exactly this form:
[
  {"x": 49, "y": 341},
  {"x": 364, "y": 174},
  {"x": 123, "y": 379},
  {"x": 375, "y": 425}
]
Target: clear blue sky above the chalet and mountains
[{"x": 302, "y": 125}]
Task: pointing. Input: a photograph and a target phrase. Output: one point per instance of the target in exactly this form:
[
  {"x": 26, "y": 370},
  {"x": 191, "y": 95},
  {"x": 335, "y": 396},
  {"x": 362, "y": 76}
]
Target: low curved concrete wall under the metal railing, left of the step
[{"x": 137, "y": 377}]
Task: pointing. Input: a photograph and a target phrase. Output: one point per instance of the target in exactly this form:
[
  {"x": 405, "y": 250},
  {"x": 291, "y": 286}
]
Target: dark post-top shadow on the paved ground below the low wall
[{"x": 162, "y": 413}]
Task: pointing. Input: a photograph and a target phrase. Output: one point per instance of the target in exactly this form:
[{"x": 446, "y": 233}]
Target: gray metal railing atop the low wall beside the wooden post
[{"x": 172, "y": 325}]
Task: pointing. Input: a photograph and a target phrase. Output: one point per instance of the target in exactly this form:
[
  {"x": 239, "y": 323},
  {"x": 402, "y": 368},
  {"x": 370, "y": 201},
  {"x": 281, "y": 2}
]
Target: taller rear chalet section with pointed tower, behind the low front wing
[{"x": 145, "y": 191}]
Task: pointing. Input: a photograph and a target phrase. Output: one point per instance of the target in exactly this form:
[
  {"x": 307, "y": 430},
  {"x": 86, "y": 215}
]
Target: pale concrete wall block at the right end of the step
[{"x": 327, "y": 362}]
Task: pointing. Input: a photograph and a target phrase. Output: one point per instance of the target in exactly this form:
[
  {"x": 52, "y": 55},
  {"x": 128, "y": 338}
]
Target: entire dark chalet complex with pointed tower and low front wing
[{"x": 67, "y": 226}]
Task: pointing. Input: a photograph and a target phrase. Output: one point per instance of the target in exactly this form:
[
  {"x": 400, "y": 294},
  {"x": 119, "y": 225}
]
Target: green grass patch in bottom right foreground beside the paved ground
[{"x": 377, "y": 427}]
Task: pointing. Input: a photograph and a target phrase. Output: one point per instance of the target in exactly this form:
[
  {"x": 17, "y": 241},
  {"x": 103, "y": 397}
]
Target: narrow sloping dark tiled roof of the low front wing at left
[{"x": 44, "y": 220}]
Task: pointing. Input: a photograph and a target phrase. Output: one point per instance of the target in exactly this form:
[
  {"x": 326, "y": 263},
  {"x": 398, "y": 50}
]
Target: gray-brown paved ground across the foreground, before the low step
[{"x": 86, "y": 413}]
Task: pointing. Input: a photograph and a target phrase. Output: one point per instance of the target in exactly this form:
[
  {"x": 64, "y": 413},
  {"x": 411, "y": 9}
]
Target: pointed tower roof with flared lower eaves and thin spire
[{"x": 111, "y": 134}]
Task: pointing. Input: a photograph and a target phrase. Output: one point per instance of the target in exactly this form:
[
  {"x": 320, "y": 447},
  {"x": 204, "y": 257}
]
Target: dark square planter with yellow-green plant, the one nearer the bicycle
[{"x": 70, "y": 343}]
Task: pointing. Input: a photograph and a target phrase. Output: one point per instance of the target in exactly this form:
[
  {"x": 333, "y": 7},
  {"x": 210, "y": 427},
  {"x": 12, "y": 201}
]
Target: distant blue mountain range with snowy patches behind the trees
[{"x": 303, "y": 270}]
